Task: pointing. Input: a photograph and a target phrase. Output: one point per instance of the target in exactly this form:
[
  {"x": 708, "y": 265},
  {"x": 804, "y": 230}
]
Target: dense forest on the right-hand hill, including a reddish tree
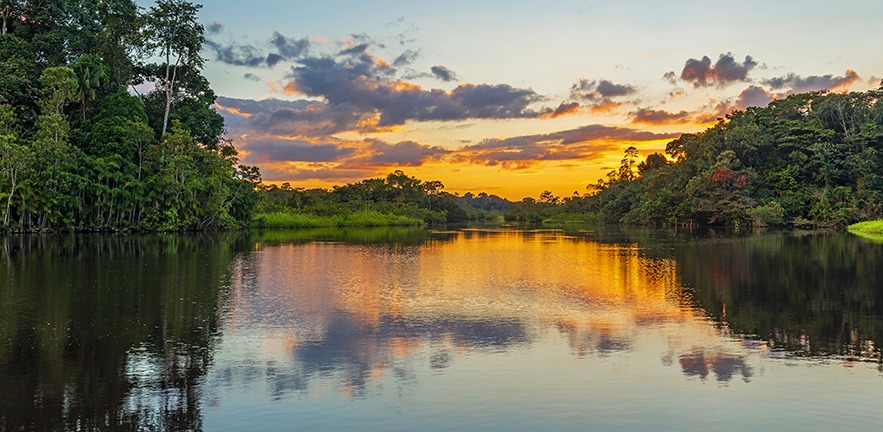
[{"x": 809, "y": 160}]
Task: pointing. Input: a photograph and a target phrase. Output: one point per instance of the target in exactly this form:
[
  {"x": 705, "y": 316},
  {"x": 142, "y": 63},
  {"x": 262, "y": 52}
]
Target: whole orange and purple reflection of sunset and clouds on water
[{"x": 361, "y": 312}]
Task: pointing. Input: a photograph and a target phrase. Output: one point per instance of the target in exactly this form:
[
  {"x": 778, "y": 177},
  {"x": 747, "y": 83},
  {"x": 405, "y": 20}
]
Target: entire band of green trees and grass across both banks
[{"x": 79, "y": 152}]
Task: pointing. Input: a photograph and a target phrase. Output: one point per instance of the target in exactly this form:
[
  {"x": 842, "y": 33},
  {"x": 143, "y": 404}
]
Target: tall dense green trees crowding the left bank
[{"x": 82, "y": 149}]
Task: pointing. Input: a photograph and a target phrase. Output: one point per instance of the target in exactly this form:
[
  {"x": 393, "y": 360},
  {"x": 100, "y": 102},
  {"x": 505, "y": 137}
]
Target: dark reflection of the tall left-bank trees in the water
[{"x": 109, "y": 332}]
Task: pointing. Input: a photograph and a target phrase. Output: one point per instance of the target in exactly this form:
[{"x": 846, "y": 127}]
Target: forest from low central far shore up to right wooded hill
[{"x": 808, "y": 160}]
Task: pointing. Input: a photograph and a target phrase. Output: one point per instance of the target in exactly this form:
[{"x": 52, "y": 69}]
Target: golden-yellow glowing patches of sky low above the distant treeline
[{"x": 562, "y": 169}]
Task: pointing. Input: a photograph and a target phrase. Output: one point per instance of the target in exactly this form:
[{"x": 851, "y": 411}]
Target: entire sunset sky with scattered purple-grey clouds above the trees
[{"x": 510, "y": 97}]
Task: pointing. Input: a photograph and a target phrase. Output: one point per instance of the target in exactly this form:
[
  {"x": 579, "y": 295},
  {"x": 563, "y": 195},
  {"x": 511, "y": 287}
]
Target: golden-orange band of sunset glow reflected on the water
[{"x": 459, "y": 277}]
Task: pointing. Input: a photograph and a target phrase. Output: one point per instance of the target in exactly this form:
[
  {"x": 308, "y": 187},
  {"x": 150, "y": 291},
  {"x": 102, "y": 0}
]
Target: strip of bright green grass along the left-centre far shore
[{"x": 297, "y": 220}]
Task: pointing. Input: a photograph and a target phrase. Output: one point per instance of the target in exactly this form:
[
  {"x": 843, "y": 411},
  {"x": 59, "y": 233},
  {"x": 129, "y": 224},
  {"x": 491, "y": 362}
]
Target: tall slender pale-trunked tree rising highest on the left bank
[{"x": 171, "y": 30}]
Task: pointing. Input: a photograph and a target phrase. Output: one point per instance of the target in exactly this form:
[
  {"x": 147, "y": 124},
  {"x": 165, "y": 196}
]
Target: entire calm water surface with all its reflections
[{"x": 404, "y": 330}]
